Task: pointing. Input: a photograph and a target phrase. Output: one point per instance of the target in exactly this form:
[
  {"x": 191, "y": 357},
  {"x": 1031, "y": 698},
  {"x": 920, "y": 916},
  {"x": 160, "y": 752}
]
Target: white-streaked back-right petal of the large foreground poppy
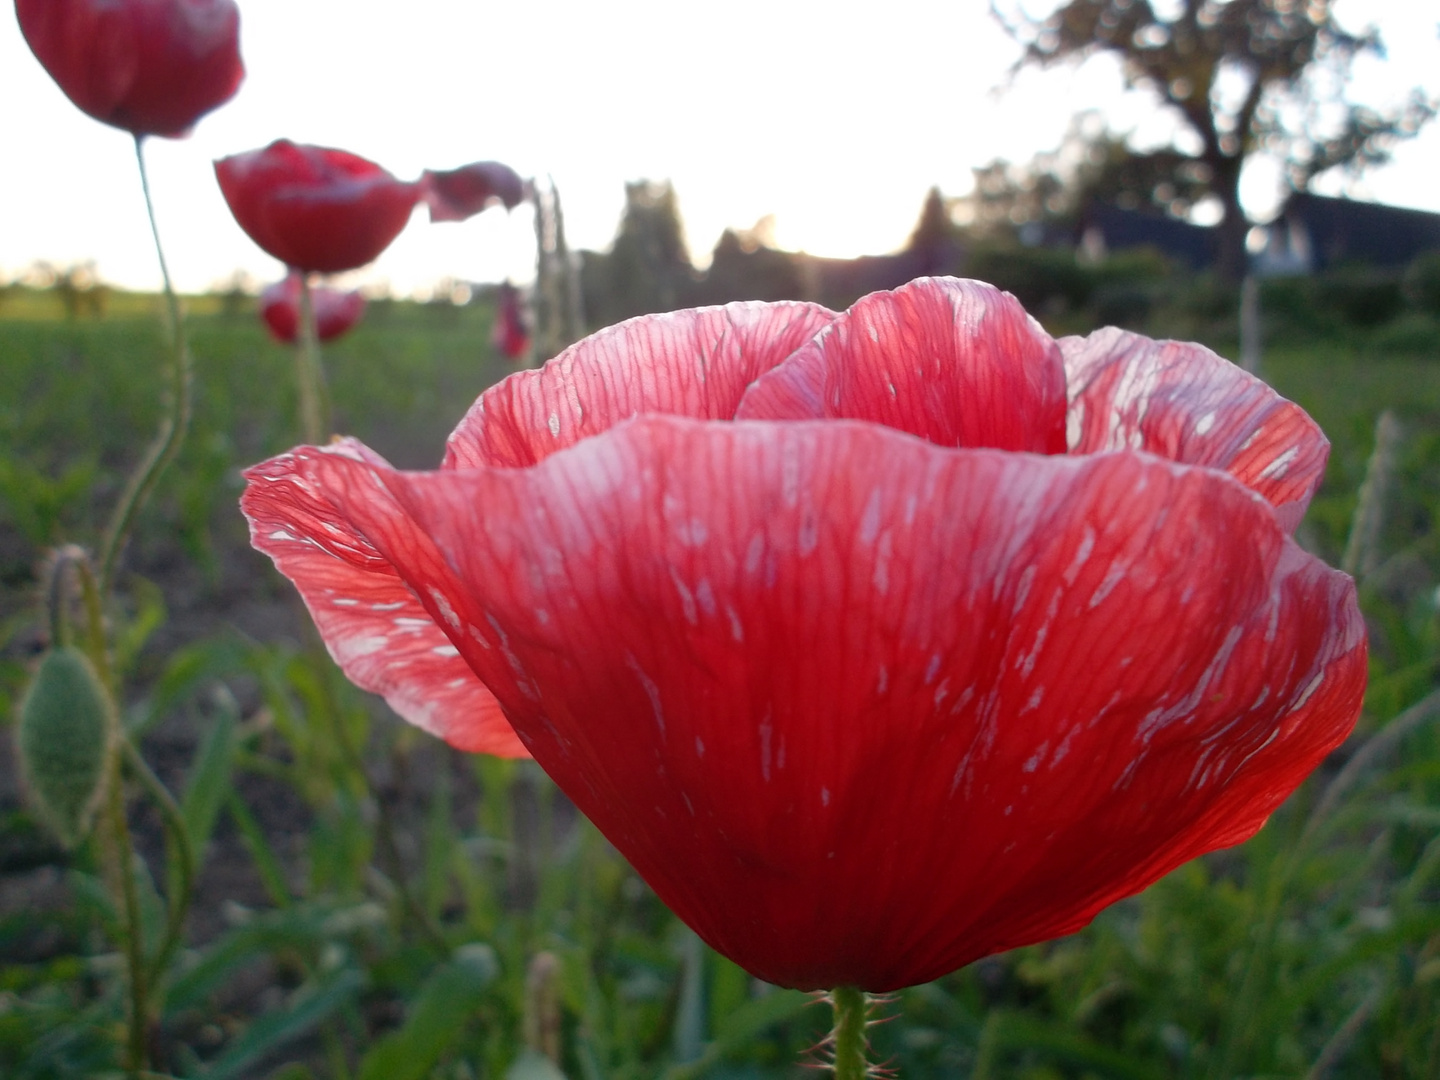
[{"x": 1183, "y": 402}]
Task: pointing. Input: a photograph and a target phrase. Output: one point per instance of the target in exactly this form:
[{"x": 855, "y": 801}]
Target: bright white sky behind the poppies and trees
[{"x": 833, "y": 123}]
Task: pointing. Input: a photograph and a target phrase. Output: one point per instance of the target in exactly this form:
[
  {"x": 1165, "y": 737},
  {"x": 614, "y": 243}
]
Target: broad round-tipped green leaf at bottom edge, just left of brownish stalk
[{"x": 447, "y": 1003}]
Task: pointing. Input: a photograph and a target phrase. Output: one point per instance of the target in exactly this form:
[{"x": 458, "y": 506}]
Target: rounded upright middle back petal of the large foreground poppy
[{"x": 958, "y": 364}]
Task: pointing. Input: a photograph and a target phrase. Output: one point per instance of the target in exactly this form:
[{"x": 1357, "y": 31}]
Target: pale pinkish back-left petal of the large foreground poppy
[{"x": 689, "y": 364}]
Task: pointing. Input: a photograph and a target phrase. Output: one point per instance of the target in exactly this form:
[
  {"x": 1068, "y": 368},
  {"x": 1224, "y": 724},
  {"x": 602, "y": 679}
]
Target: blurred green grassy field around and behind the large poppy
[{"x": 372, "y": 904}]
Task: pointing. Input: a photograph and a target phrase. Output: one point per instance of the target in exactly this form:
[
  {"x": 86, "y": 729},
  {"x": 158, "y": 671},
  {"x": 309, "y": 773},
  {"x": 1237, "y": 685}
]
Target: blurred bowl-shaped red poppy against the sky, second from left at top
[{"x": 316, "y": 210}]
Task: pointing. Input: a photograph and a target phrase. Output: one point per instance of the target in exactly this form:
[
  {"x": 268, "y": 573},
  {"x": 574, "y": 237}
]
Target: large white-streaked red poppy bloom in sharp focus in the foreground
[{"x": 878, "y": 642}]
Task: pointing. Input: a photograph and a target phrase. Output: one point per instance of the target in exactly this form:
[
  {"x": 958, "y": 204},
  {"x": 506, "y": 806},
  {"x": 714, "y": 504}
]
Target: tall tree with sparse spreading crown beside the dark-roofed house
[{"x": 1245, "y": 77}]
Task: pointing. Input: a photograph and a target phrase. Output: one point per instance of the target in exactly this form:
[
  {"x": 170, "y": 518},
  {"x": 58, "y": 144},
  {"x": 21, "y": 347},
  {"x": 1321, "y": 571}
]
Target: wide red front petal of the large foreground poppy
[{"x": 862, "y": 709}]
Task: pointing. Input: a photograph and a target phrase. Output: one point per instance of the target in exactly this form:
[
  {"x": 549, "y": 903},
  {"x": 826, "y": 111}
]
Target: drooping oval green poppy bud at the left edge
[{"x": 64, "y": 738}]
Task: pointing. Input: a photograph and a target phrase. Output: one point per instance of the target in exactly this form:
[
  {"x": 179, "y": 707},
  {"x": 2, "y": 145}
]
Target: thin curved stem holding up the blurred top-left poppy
[{"x": 176, "y": 413}]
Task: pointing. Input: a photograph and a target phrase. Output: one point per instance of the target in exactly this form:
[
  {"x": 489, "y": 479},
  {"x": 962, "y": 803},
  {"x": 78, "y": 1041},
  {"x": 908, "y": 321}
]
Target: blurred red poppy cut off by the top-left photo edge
[{"x": 148, "y": 67}]
